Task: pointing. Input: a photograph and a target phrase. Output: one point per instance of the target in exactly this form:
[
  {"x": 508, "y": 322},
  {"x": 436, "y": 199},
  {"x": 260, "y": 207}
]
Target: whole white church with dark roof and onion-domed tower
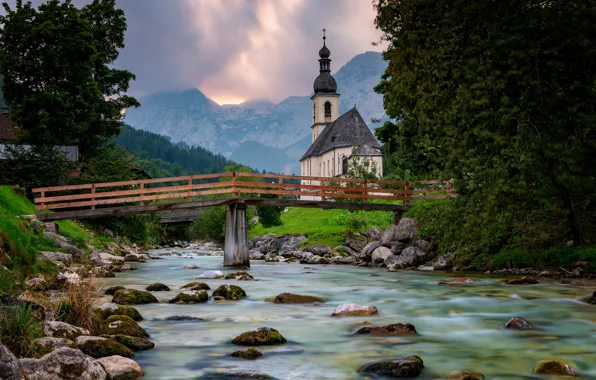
[{"x": 336, "y": 139}]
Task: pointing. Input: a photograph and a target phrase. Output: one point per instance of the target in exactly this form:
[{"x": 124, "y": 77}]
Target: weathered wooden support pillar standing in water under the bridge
[{"x": 236, "y": 242}]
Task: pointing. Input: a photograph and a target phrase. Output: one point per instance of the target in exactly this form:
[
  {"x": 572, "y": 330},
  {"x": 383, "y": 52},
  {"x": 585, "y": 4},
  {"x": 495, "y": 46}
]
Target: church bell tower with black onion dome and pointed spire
[{"x": 325, "y": 101}]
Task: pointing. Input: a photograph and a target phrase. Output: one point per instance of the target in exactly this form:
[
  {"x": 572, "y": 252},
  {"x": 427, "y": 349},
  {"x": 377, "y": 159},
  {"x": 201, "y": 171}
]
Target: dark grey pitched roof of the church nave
[{"x": 348, "y": 130}]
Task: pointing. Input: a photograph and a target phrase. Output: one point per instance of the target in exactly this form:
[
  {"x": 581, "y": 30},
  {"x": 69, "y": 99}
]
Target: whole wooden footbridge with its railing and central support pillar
[{"x": 236, "y": 191}]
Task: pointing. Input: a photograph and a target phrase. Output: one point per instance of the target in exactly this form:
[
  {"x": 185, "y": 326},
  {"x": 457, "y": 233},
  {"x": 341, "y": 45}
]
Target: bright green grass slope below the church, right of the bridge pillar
[{"x": 322, "y": 226}]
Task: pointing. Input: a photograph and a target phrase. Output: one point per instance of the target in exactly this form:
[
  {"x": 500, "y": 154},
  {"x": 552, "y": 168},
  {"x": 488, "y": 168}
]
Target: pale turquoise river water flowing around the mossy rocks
[{"x": 323, "y": 347}]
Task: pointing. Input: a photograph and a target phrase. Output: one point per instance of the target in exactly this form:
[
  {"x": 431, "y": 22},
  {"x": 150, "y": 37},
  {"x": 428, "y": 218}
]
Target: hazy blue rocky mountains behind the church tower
[{"x": 258, "y": 133}]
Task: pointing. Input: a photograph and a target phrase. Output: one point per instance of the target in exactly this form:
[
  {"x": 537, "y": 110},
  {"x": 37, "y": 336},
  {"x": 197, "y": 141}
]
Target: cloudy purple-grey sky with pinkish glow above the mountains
[{"x": 237, "y": 50}]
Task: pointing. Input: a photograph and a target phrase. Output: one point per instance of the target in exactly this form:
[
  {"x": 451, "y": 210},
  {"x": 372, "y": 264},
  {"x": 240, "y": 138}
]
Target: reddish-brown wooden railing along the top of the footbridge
[{"x": 236, "y": 185}]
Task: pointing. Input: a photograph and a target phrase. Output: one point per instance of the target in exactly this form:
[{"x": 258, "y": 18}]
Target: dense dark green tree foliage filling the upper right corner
[{"x": 500, "y": 94}]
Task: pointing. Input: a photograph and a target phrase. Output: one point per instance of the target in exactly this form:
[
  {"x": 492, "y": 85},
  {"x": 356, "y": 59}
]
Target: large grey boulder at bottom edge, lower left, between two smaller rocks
[{"x": 64, "y": 364}]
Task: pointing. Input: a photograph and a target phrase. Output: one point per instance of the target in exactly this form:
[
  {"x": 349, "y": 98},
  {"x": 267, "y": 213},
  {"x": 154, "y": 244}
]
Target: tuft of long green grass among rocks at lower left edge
[{"x": 18, "y": 329}]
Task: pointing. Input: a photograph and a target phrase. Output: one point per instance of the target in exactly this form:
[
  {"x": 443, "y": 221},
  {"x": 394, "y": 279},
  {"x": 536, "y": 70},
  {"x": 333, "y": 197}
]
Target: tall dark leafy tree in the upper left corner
[{"x": 58, "y": 79}]
